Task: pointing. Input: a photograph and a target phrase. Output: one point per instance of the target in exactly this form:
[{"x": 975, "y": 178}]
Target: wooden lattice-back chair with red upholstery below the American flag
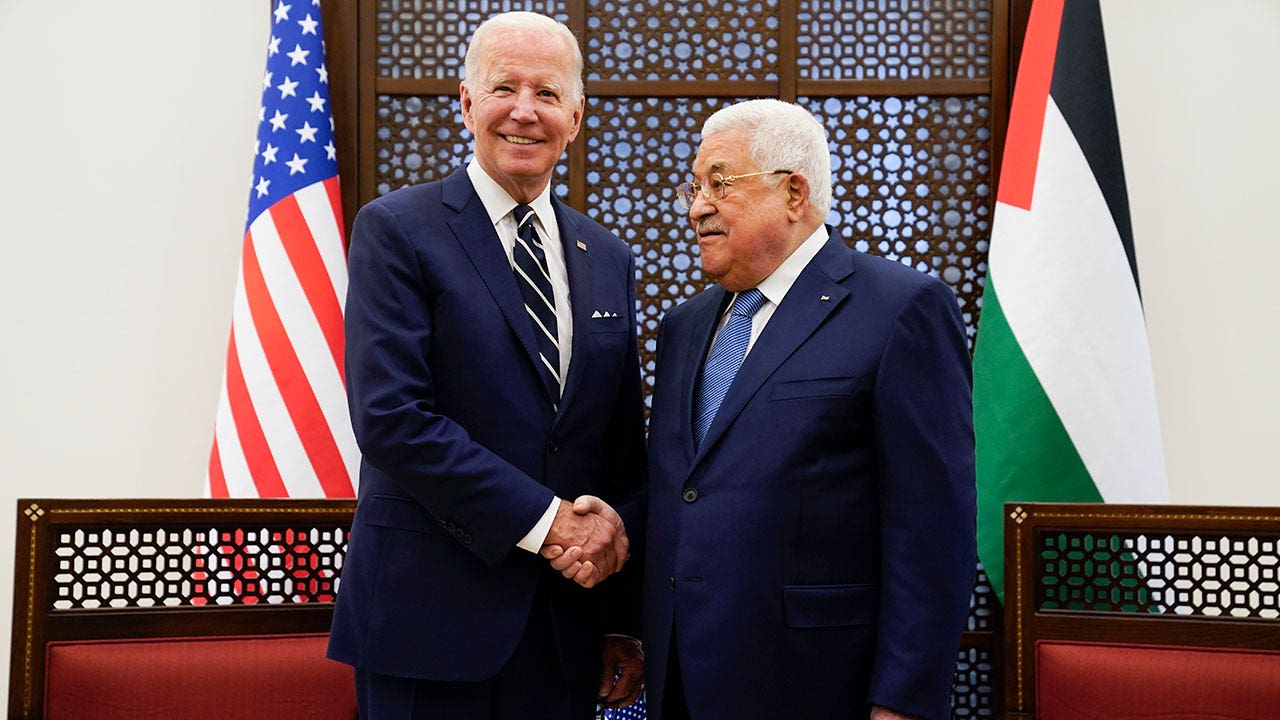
[{"x": 196, "y": 609}]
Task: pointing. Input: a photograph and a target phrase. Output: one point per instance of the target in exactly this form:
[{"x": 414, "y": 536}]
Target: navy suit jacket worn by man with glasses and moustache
[{"x": 817, "y": 554}]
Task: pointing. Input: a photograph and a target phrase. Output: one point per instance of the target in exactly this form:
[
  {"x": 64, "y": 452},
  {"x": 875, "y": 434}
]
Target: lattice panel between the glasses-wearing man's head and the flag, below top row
[{"x": 913, "y": 184}]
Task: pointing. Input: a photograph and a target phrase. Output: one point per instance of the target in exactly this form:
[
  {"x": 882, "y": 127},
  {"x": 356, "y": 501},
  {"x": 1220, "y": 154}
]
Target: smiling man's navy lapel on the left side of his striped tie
[{"x": 478, "y": 238}]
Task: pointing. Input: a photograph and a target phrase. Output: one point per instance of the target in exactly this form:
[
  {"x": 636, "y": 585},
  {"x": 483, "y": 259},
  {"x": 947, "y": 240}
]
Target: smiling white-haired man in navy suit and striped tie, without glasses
[{"x": 493, "y": 379}]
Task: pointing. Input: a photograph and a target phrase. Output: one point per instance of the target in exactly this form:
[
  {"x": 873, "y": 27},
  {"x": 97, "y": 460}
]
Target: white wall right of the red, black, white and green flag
[{"x": 1195, "y": 86}]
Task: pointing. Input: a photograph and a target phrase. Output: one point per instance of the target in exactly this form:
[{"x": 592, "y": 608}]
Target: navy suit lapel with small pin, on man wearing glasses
[{"x": 816, "y": 294}]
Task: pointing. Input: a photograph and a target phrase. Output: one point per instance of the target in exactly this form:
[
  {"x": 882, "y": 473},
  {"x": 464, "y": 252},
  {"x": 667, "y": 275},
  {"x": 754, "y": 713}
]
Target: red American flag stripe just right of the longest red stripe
[{"x": 313, "y": 276}]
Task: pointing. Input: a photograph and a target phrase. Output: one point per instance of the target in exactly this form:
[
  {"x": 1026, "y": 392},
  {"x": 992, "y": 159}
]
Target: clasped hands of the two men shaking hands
[{"x": 588, "y": 541}]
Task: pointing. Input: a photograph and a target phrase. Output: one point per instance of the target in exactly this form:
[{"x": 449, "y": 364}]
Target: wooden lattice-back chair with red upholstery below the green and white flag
[{"x": 1117, "y": 612}]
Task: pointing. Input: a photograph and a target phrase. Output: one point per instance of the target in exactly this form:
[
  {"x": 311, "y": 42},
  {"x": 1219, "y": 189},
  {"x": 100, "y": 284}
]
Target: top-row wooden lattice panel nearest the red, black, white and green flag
[{"x": 895, "y": 39}]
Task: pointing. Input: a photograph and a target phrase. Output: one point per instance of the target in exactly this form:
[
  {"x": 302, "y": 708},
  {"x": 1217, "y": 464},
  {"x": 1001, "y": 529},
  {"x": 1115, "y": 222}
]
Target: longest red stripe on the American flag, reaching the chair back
[{"x": 300, "y": 399}]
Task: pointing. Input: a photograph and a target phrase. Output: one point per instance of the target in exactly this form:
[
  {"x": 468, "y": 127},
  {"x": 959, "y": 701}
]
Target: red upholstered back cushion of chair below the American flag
[{"x": 258, "y": 677}]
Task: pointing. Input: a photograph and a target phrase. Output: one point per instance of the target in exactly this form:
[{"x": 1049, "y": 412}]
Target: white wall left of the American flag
[{"x": 126, "y": 140}]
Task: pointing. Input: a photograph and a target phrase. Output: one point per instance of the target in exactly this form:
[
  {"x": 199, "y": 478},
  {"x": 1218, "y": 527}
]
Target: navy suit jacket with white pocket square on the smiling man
[{"x": 463, "y": 446}]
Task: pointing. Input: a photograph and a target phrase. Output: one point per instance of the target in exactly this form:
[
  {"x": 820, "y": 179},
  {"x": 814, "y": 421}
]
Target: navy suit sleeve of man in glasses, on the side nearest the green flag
[{"x": 926, "y": 455}]
